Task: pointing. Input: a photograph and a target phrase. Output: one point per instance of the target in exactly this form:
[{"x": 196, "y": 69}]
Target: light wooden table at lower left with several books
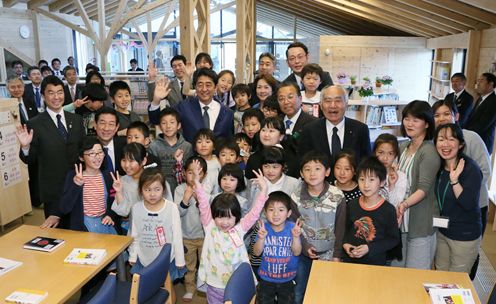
[{"x": 47, "y": 271}]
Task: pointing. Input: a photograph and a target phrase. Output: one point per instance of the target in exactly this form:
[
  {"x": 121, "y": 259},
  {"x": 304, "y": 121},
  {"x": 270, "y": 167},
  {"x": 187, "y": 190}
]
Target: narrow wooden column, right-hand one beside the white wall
[{"x": 245, "y": 40}]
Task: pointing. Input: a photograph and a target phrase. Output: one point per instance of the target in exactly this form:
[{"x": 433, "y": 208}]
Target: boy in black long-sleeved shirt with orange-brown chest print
[{"x": 371, "y": 227}]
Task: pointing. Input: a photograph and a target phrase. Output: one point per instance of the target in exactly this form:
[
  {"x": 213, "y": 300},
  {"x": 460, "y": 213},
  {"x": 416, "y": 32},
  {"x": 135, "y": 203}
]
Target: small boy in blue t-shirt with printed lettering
[{"x": 279, "y": 244}]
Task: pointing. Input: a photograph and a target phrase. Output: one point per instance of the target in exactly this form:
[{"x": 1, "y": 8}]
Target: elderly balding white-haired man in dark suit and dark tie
[{"x": 334, "y": 132}]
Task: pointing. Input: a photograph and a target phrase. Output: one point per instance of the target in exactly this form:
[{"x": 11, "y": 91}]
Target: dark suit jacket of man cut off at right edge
[{"x": 483, "y": 121}]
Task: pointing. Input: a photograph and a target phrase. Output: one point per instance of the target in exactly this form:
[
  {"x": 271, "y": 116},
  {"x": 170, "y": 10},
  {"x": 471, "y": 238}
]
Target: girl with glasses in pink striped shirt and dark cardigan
[{"x": 86, "y": 194}]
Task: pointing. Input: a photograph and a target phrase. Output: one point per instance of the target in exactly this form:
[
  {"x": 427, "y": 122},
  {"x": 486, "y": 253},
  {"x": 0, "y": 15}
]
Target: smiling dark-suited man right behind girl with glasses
[{"x": 106, "y": 126}]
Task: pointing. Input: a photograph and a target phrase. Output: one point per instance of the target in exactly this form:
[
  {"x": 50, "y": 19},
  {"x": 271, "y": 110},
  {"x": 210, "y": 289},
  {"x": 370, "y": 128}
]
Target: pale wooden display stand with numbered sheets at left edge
[{"x": 14, "y": 189}]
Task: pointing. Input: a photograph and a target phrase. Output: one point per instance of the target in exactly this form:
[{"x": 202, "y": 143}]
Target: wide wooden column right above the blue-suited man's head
[{"x": 194, "y": 41}]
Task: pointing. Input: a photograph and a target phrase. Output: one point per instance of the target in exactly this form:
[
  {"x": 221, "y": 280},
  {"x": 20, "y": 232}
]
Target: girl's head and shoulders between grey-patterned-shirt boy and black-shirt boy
[{"x": 344, "y": 172}]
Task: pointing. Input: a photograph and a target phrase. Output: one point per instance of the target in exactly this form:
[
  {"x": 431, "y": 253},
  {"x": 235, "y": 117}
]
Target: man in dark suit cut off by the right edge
[{"x": 483, "y": 117}]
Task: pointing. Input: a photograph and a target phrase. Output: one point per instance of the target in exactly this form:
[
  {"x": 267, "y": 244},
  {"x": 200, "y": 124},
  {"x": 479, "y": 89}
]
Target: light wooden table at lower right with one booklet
[{"x": 332, "y": 282}]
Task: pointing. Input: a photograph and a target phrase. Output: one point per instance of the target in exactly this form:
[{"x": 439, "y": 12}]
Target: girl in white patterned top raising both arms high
[{"x": 223, "y": 248}]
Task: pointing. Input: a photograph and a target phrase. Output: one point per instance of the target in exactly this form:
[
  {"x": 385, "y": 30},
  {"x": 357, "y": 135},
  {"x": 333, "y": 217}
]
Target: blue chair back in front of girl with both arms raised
[{"x": 240, "y": 288}]
